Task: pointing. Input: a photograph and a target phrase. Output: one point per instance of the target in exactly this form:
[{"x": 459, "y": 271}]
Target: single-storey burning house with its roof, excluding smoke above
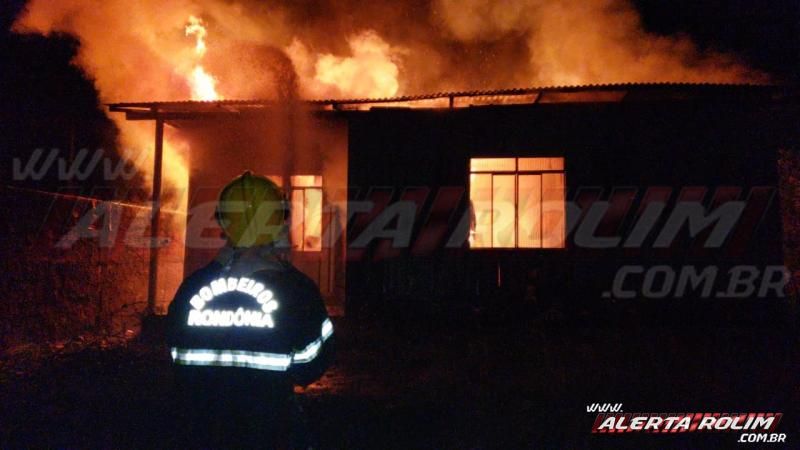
[{"x": 564, "y": 195}]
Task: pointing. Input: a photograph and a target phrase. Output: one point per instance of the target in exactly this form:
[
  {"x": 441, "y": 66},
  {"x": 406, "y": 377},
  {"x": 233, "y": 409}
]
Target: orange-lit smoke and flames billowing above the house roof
[{"x": 140, "y": 51}]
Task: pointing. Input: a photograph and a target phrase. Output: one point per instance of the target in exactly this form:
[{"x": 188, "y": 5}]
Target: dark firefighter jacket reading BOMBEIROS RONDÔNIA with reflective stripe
[{"x": 272, "y": 321}]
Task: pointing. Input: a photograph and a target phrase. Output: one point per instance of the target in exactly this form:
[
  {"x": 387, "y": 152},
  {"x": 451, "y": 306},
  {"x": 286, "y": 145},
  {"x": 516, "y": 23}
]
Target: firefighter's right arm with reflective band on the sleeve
[{"x": 314, "y": 344}]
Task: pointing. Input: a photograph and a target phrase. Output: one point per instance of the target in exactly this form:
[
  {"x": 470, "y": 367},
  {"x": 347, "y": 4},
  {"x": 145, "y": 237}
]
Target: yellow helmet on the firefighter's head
[{"x": 251, "y": 211}]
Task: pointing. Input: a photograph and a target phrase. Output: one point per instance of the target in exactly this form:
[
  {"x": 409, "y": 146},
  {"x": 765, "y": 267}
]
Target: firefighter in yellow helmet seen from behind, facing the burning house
[{"x": 246, "y": 328}]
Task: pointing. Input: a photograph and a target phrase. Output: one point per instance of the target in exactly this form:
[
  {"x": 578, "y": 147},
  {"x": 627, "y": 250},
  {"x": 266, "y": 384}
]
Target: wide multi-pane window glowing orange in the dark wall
[{"x": 517, "y": 203}]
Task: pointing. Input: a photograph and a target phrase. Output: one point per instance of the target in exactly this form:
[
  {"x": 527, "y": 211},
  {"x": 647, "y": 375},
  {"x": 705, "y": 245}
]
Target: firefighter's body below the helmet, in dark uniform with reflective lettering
[{"x": 239, "y": 341}]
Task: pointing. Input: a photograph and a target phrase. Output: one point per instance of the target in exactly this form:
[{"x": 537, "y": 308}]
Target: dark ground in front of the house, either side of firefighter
[{"x": 470, "y": 381}]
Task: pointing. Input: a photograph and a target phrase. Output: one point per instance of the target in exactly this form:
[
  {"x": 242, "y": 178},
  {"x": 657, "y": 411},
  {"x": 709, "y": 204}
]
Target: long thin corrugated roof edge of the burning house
[{"x": 595, "y": 93}]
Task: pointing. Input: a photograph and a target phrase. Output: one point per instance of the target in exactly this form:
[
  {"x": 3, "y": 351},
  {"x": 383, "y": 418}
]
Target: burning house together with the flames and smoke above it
[{"x": 571, "y": 194}]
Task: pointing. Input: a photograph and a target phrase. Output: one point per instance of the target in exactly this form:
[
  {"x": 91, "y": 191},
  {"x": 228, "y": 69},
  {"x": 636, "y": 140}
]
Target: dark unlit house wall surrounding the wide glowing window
[{"x": 707, "y": 150}]
